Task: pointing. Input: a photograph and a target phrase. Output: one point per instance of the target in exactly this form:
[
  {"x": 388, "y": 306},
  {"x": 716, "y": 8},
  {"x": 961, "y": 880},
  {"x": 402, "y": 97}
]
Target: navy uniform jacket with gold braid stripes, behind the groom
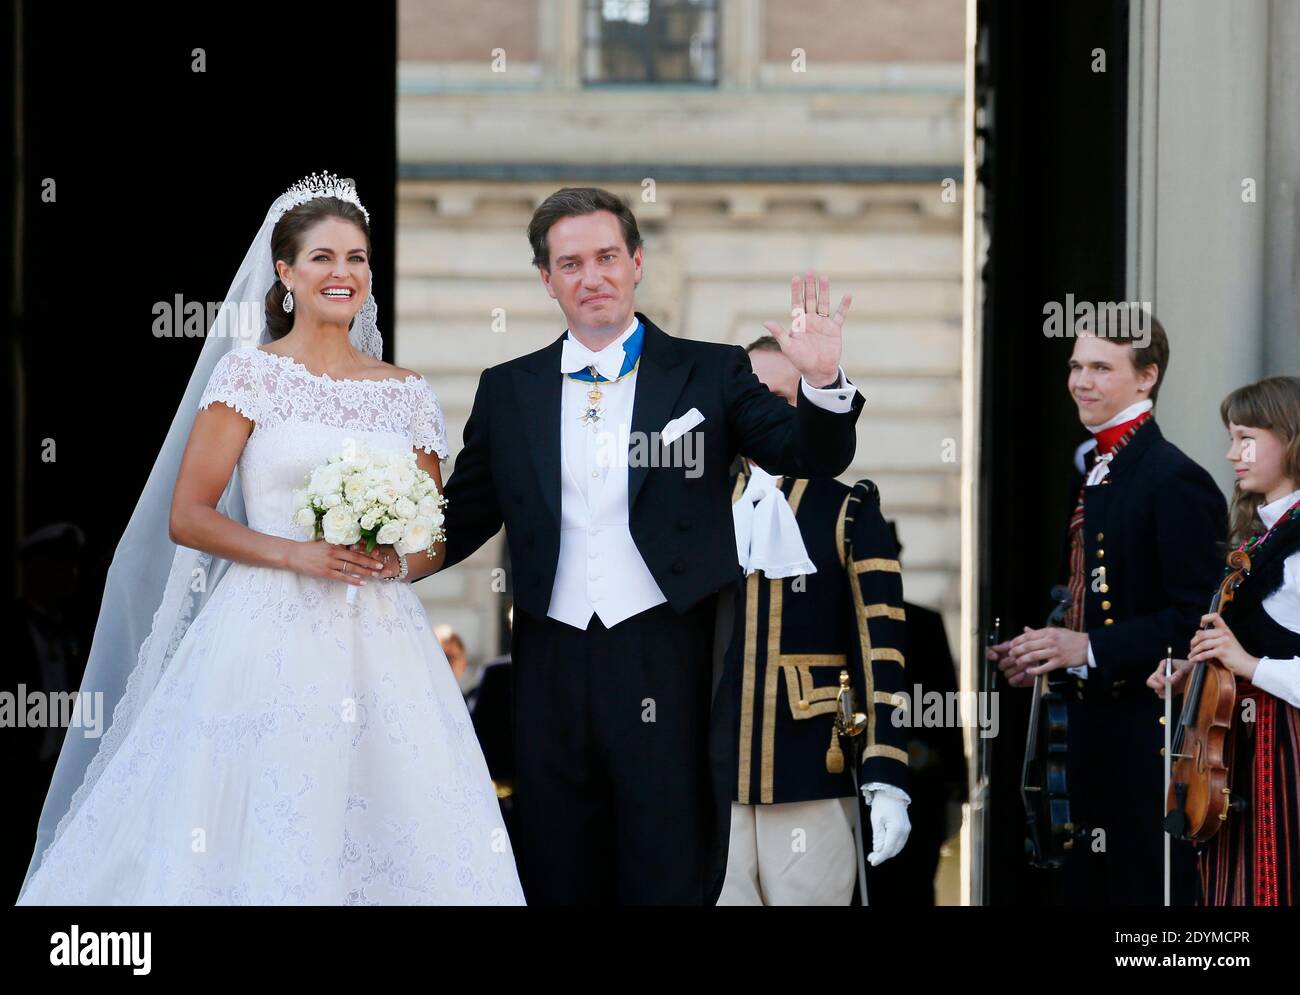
[{"x": 788, "y": 647}]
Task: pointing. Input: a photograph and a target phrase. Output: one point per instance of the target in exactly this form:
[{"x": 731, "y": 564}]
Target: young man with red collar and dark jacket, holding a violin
[{"x": 1146, "y": 551}]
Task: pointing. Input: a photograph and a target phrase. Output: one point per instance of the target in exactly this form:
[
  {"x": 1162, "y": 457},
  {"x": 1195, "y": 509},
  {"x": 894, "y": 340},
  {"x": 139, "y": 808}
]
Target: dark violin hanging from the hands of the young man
[{"x": 1045, "y": 788}]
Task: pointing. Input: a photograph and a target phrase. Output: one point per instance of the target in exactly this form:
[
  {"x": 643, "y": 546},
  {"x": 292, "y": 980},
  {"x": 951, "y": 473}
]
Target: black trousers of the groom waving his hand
[{"x": 614, "y": 797}]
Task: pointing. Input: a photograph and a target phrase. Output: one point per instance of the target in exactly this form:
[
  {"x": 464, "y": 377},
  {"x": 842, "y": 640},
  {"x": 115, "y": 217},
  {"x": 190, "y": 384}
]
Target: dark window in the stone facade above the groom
[{"x": 651, "y": 42}]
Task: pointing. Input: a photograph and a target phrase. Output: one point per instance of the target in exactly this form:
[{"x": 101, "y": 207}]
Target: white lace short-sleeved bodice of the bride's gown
[{"x": 302, "y": 418}]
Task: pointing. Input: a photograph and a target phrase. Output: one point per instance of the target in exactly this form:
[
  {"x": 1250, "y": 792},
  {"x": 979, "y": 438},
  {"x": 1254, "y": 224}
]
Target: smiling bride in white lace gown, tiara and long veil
[{"x": 275, "y": 742}]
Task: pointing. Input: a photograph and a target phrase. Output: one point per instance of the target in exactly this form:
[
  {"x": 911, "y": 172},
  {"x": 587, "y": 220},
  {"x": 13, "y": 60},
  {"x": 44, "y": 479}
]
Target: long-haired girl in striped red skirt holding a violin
[{"x": 1255, "y": 858}]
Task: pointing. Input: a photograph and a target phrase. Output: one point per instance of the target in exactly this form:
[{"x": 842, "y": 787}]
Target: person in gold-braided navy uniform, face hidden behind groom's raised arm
[{"x": 822, "y": 594}]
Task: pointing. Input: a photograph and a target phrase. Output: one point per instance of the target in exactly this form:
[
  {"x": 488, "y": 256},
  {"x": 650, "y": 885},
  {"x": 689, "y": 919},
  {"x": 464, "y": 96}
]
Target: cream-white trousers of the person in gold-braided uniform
[{"x": 796, "y": 854}]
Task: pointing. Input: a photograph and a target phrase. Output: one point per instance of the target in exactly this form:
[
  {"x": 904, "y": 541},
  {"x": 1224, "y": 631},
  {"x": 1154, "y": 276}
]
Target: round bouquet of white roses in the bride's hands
[{"x": 380, "y": 496}]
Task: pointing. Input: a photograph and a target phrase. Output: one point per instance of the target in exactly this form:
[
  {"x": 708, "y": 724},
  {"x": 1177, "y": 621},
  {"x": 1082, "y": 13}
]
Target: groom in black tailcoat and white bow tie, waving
[{"x": 621, "y": 537}]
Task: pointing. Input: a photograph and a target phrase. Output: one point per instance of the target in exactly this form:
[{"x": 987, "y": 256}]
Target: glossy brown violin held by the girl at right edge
[{"x": 1199, "y": 797}]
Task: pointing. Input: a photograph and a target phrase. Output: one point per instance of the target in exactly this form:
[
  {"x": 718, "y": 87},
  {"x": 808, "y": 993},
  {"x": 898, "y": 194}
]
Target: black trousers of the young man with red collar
[{"x": 1117, "y": 788}]
